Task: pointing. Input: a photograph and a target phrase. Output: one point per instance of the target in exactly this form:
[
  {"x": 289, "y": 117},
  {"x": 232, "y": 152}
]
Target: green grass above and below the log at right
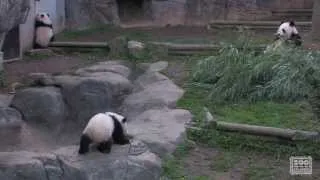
[{"x": 266, "y": 113}]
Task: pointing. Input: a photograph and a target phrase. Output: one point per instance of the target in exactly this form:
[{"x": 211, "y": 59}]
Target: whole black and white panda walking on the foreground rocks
[{"x": 104, "y": 129}]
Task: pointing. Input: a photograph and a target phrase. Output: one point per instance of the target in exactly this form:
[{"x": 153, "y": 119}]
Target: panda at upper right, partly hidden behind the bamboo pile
[{"x": 287, "y": 31}]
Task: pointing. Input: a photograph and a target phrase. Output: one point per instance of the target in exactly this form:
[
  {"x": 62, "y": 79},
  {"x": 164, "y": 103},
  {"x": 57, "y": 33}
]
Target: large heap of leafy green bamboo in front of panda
[{"x": 239, "y": 73}]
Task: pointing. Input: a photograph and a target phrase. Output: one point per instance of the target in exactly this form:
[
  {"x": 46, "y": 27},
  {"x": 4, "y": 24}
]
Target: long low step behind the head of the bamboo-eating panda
[{"x": 258, "y": 25}]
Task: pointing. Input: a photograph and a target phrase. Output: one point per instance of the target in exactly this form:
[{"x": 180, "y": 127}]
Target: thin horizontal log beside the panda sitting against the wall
[{"x": 79, "y": 44}]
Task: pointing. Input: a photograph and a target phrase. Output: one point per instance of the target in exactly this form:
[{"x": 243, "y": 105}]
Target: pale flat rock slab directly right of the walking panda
[{"x": 162, "y": 129}]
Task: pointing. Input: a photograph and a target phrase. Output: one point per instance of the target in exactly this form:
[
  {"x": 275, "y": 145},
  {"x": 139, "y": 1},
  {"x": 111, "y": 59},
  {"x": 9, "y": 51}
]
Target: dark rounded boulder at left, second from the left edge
[{"x": 40, "y": 105}]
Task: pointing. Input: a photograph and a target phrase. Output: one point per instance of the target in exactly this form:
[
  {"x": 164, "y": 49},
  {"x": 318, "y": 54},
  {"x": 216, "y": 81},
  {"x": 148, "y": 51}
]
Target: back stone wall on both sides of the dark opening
[{"x": 80, "y": 13}]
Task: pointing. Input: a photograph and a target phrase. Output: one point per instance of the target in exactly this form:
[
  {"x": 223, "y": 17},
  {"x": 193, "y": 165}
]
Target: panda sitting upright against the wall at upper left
[{"x": 43, "y": 31}]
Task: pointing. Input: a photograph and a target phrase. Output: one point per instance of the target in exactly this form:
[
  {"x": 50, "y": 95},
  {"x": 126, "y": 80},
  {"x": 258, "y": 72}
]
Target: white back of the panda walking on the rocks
[{"x": 99, "y": 128}]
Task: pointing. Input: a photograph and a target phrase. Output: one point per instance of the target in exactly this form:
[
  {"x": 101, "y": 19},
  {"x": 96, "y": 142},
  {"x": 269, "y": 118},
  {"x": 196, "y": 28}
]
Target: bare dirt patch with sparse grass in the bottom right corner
[{"x": 203, "y": 161}]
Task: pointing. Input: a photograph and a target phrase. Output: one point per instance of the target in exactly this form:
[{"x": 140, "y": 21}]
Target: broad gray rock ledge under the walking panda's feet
[{"x": 66, "y": 164}]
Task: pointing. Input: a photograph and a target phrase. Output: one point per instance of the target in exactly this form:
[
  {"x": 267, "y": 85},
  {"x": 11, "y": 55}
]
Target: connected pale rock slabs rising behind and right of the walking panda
[{"x": 151, "y": 113}]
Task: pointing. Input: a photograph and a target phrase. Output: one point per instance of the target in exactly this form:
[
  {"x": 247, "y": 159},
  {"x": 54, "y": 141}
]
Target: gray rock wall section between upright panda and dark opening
[{"x": 83, "y": 13}]
